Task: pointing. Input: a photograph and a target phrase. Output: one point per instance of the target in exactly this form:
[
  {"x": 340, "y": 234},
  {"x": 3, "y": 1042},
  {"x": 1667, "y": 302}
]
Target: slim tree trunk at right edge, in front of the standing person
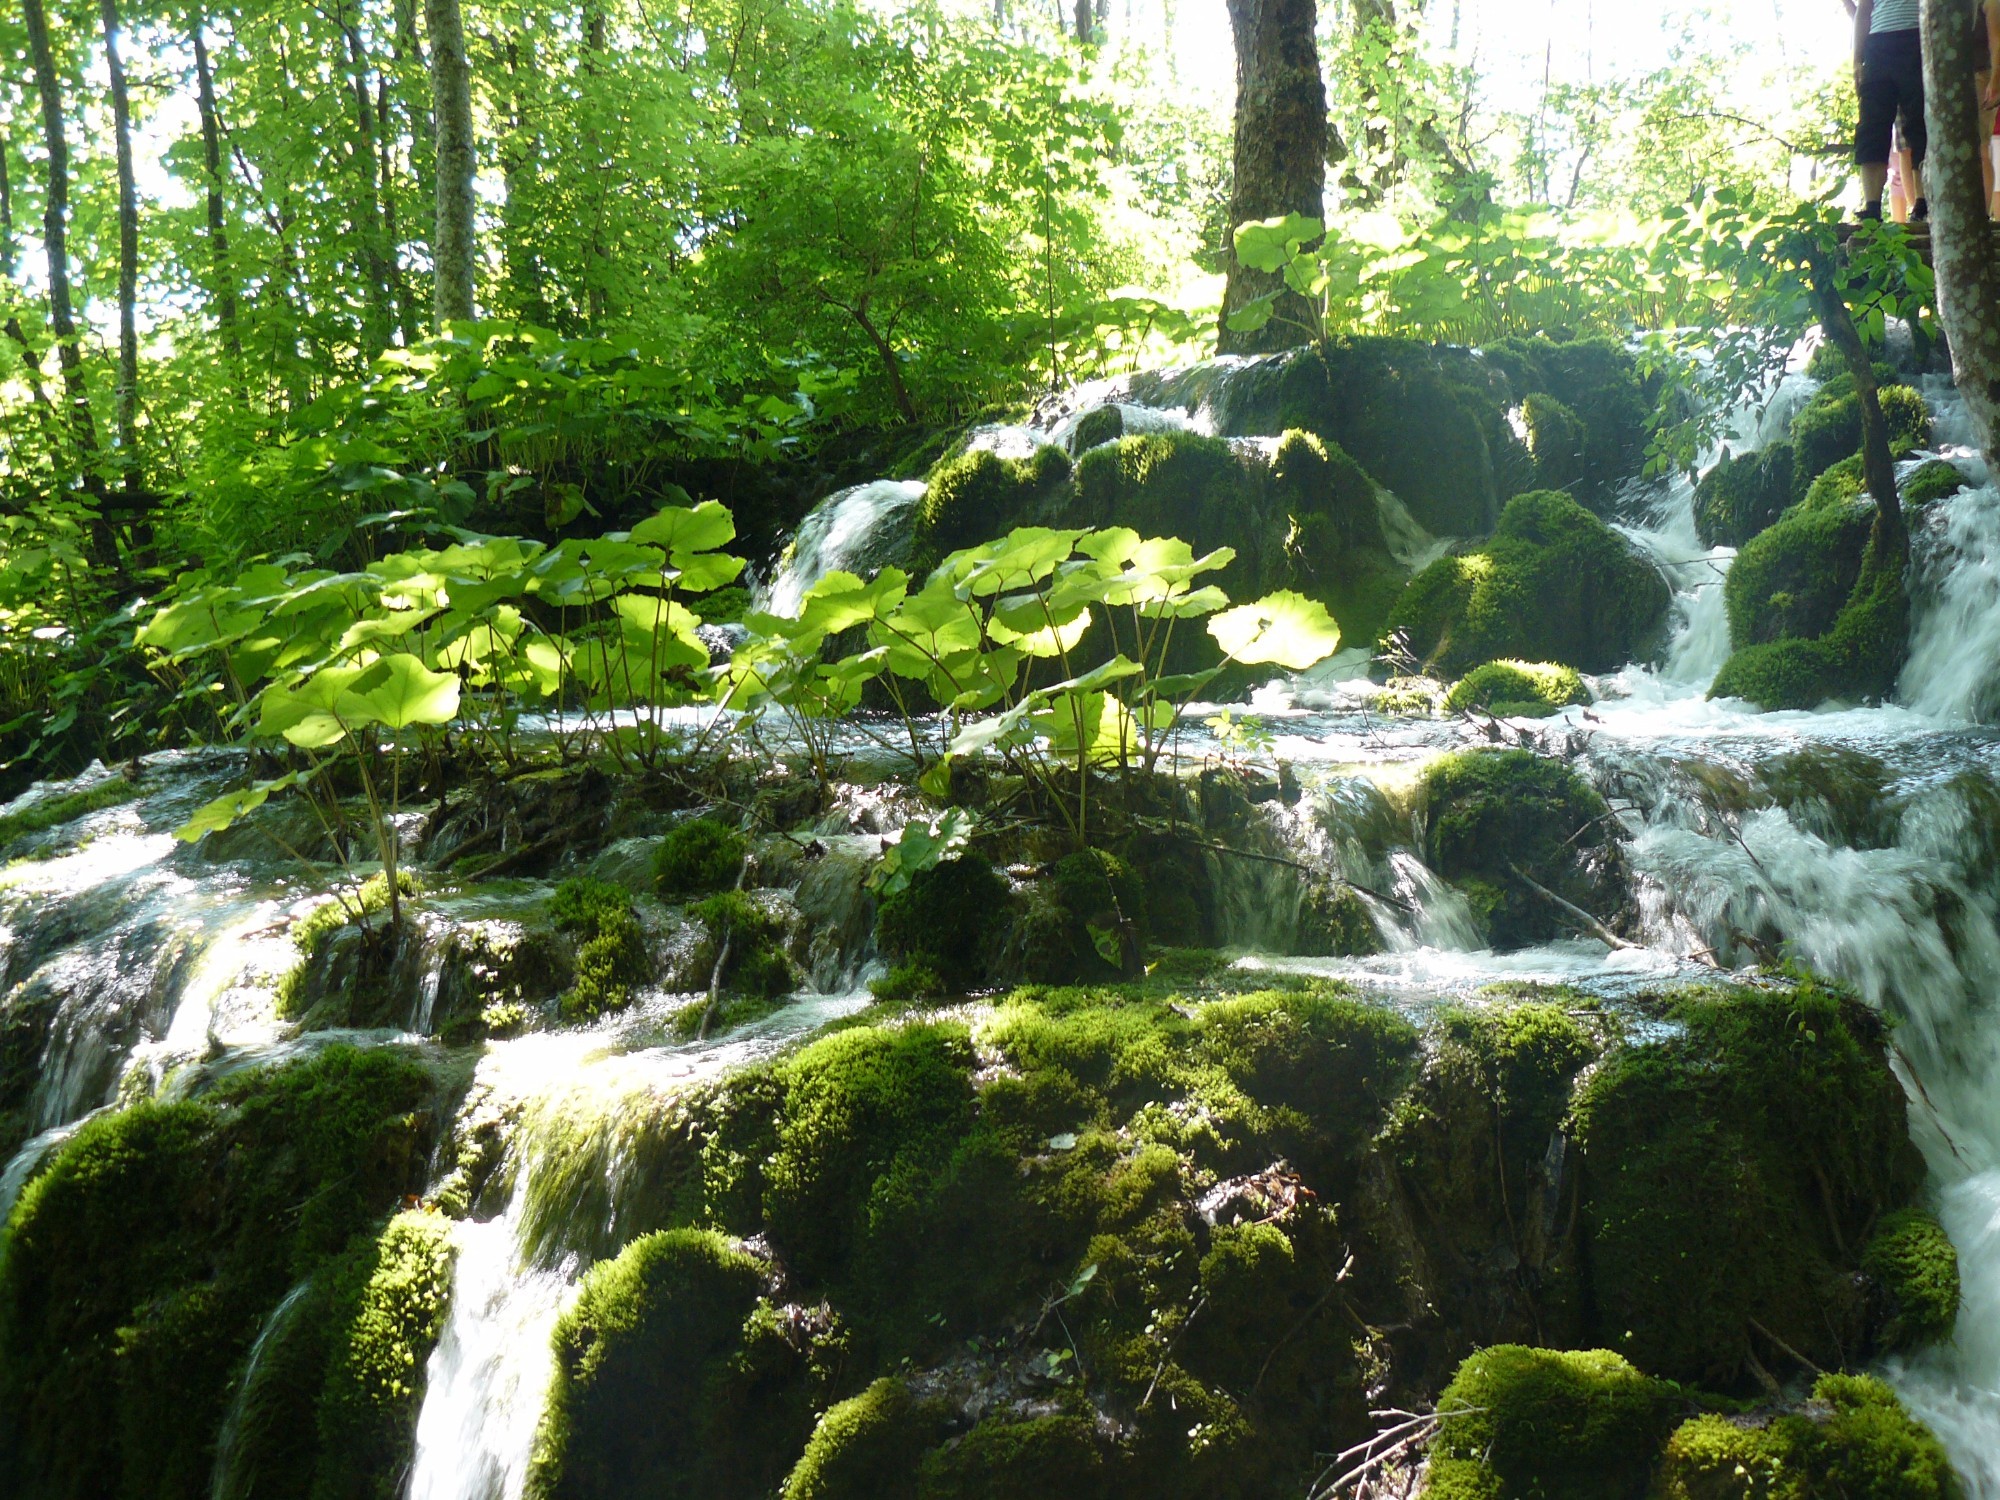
[{"x": 1961, "y": 235}]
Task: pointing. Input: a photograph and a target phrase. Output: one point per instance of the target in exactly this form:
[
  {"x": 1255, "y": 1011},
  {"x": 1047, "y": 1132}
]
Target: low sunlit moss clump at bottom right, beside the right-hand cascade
[{"x": 1855, "y": 1439}]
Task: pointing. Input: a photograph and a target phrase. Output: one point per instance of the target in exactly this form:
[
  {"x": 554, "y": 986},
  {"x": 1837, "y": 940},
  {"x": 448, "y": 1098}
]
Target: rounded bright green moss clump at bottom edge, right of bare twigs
[{"x": 1547, "y": 1423}]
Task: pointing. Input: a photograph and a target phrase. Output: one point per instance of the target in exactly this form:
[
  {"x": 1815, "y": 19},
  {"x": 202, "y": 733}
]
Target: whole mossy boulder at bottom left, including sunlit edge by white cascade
[{"x": 147, "y": 1257}]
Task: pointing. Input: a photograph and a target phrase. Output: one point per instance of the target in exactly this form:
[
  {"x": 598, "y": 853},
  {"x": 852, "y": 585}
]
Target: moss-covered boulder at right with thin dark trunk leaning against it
[{"x": 1817, "y": 611}]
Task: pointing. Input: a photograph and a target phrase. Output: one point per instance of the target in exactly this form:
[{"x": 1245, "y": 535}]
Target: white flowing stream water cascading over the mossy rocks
[{"x": 155, "y": 961}]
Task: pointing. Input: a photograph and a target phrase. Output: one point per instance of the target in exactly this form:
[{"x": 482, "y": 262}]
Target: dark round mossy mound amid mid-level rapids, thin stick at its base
[{"x": 1495, "y": 821}]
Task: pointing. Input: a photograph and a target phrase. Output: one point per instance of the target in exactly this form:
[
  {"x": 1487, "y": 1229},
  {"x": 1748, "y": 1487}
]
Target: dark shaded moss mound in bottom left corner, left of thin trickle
[{"x": 151, "y": 1251}]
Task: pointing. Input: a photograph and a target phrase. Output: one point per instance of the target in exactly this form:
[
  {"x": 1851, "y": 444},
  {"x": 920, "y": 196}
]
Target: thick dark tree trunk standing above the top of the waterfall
[{"x": 1281, "y": 155}]
